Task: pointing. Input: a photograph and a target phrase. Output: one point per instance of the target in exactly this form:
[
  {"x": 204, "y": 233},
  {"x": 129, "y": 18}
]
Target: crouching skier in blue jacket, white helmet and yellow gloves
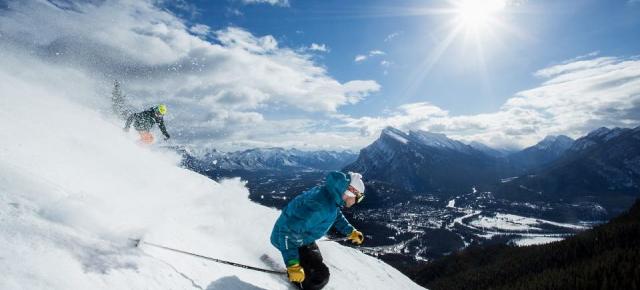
[{"x": 307, "y": 218}]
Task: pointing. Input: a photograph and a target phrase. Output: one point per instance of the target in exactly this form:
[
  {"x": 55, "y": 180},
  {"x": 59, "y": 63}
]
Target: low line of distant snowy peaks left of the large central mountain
[{"x": 273, "y": 159}]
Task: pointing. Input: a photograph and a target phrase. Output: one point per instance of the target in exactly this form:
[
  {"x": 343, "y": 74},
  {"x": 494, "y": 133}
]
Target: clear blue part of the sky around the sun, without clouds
[{"x": 540, "y": 33}]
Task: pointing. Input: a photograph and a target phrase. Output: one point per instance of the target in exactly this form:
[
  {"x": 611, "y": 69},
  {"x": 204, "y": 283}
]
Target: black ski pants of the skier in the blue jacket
[{"x": 316, "y": 273}]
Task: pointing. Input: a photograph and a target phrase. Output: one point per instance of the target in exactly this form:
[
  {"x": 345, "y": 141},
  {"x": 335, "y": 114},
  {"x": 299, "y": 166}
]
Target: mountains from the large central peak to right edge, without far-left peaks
[{"x": 603, "y": 166}]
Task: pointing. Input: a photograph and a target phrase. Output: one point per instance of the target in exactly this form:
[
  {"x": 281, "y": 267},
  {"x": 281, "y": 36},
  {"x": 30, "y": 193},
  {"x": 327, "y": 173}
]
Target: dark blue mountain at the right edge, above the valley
[{"x": 603, "y": 166}]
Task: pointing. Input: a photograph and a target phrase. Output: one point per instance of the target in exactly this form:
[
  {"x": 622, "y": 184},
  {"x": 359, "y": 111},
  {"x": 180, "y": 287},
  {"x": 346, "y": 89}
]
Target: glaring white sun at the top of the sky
[{"x": 478, "y": 14}]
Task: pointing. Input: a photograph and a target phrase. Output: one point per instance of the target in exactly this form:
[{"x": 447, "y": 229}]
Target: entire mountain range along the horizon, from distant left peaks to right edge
[{"x": 602, "y": 167}]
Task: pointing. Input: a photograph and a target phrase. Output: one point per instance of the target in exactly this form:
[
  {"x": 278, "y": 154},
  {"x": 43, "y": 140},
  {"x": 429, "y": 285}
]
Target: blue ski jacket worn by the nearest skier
[{"x": 310, "y": 215}]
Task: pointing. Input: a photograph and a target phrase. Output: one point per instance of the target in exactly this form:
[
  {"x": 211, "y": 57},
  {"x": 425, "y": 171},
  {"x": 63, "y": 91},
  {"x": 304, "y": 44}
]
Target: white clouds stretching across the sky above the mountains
[{"x": 232, "y": 89}]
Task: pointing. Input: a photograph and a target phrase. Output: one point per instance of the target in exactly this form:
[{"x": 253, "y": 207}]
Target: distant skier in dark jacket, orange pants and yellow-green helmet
[{"x": 144, "y": 121}]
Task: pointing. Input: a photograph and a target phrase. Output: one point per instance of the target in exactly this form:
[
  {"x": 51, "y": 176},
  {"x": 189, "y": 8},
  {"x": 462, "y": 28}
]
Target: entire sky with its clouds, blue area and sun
[{"x": 332, "y": 74}]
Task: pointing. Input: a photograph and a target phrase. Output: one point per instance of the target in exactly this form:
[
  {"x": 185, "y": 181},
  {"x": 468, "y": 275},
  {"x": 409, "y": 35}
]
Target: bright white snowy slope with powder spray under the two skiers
[{"x": 74, "y": 187}]
